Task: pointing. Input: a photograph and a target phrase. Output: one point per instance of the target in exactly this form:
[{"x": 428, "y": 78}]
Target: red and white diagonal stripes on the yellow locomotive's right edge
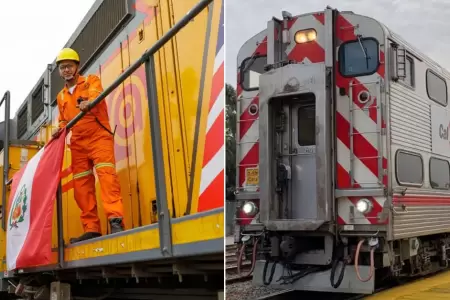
[{"x": 213, "y": 180}]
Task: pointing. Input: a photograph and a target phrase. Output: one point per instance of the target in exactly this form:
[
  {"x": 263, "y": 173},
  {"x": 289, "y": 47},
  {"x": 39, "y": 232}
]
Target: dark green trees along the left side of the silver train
[{"x": 230, "y": 134}]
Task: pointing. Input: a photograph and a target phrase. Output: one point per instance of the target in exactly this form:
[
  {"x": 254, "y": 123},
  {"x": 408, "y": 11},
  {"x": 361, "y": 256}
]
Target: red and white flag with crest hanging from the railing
[{"x": 31, "y": 203}]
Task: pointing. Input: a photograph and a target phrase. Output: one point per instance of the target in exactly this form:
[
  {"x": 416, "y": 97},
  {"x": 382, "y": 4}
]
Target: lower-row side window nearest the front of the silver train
[{"x": 409, "y": 168}]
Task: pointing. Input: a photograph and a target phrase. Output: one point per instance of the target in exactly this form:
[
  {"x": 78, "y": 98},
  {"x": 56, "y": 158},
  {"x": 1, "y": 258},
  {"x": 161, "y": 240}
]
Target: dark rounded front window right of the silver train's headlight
[{"x": 359, "y": 57}]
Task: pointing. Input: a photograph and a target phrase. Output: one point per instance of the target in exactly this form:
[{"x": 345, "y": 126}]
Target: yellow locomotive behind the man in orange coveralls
[{"x": 161, "y": 64}]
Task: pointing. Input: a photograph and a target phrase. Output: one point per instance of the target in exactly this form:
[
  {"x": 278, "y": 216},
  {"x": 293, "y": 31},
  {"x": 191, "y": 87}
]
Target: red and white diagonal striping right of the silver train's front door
[{"x": 364, "y": 125}]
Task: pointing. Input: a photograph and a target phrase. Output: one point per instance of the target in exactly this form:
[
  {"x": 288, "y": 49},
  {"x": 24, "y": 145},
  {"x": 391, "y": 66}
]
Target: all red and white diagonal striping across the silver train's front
[{"x": 365, "y": 170}]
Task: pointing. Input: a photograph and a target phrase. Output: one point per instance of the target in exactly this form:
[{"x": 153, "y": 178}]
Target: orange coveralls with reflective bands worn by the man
[{"x": 91, "y": 145}]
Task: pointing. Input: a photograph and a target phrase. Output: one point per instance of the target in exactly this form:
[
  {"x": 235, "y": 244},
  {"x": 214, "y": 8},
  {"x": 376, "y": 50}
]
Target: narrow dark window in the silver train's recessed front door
[{"x": 307, "y": 125}]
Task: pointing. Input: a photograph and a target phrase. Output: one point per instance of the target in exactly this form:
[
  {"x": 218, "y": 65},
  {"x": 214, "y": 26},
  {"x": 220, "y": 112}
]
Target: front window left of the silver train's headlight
[{"x": 251, "y": 69}]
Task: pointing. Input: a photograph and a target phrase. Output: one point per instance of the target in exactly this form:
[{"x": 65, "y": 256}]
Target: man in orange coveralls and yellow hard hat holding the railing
[{"x": 91, "y": 145}]
